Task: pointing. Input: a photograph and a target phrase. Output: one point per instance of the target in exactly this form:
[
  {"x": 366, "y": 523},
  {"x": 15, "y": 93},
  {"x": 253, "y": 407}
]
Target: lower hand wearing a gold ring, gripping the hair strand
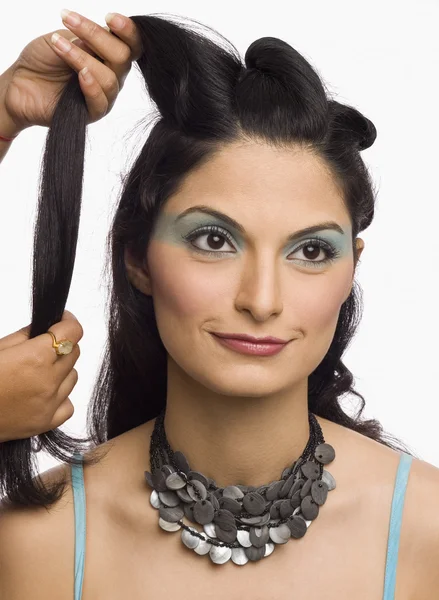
[{"x": 35, "y": 381}]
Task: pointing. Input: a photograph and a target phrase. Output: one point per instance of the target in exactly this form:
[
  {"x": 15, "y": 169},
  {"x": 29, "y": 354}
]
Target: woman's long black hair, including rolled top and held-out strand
[{"x": 206, "y": 98}]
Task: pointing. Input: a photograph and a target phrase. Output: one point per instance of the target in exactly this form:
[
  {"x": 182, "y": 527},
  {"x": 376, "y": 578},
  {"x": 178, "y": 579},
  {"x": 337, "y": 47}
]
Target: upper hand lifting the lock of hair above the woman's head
[{"x": 30, "y": 88}]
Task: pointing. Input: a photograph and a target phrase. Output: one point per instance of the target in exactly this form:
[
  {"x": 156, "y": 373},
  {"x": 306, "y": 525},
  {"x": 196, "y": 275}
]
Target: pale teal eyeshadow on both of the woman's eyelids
[{"x": 171, "y": 231}]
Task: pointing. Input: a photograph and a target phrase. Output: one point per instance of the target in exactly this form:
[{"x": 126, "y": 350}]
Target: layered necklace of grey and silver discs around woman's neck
[{"x": 239, "y": 522}]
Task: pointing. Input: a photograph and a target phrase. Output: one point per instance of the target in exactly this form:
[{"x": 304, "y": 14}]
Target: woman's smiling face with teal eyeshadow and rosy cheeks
[{"x": 252, "y": 277}]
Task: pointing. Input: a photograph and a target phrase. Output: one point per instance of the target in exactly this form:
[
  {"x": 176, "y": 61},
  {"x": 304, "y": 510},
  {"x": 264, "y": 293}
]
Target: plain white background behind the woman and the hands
[{"x": 382, "y": 58}]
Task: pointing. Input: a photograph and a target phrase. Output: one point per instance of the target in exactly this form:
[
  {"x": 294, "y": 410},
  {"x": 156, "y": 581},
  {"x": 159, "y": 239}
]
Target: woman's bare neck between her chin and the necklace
[{"x": 235, "y": 440}]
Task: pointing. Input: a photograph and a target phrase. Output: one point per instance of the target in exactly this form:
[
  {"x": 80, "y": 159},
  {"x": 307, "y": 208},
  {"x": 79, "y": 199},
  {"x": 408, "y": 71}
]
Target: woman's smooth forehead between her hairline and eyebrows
[{"x": 256, "y": 179}]
